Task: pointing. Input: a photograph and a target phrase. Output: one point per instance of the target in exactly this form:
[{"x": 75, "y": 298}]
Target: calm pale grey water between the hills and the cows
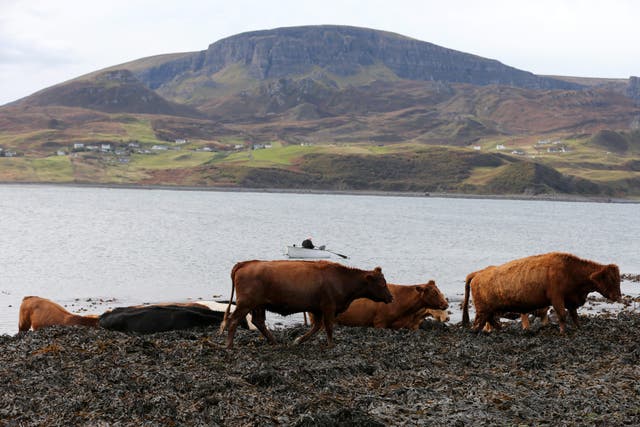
[{"x": 123, "y": 247}]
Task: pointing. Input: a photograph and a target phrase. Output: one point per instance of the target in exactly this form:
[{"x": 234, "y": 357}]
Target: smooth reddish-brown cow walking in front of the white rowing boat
[{"x": 323, "y": 288}]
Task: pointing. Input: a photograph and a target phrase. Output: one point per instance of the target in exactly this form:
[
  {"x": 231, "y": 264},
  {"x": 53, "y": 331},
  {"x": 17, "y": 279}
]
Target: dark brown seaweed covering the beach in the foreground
[{"x": 438, "y": 375}]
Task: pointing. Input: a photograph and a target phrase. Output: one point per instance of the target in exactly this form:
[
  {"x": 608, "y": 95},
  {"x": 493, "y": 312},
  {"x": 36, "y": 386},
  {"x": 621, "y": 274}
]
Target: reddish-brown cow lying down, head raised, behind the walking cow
[{"x": 407, "y": 311}]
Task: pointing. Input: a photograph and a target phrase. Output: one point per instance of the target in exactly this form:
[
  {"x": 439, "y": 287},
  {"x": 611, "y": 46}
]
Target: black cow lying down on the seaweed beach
[{"x": 162, "y": 317}]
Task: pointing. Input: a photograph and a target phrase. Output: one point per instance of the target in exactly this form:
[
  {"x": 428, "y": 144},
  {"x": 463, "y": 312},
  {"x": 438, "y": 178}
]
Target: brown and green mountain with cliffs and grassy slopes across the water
[{"x": 342, "y": 108}]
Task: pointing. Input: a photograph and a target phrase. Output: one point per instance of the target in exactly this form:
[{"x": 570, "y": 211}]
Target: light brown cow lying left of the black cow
[{"x": 36, "y": 313}]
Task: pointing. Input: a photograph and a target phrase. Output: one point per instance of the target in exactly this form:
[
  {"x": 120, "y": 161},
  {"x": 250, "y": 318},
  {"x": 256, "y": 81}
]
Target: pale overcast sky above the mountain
[{"x": 44, "y": 42}]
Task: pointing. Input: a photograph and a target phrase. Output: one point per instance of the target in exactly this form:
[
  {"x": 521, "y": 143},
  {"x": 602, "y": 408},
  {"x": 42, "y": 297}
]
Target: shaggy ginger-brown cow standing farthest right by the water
[{"x": 527, "y": 284}]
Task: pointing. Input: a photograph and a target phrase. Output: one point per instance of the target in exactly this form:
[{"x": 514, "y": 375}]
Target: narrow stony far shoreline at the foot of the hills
[{"x": 538, "y": 197}]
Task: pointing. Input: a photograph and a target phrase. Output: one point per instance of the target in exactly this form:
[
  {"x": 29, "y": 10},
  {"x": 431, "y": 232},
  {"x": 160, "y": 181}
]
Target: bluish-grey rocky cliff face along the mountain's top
[{"x": 345, "y": 51}]
